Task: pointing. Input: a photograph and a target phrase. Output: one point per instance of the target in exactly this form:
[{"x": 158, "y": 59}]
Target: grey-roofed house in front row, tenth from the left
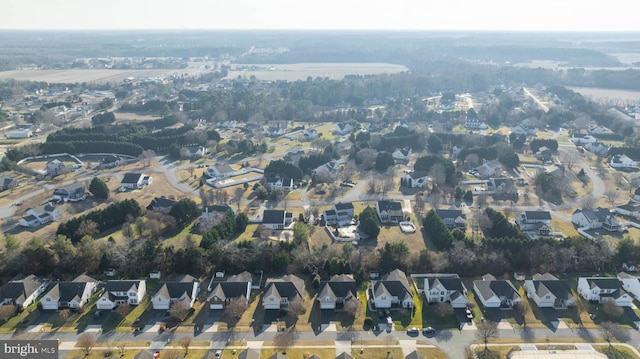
[{"x": 496, "y": 293}]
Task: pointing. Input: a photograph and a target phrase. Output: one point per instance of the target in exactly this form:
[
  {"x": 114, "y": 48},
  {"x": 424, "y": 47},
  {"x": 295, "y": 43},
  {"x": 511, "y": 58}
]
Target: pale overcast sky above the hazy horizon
[{"x": 520, "y": 15}]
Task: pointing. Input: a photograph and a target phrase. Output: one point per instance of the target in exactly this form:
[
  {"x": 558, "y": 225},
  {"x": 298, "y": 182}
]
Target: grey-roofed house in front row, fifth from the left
[{"x": 237, "y": 287}]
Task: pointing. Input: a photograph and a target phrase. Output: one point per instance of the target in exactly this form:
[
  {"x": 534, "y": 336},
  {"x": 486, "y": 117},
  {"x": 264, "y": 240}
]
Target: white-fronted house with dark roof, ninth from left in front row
[{"x": 448, "y": 287}]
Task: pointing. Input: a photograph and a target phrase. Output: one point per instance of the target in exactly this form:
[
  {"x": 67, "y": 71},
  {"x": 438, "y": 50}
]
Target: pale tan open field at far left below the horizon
[{"x": 101, "y": 76}]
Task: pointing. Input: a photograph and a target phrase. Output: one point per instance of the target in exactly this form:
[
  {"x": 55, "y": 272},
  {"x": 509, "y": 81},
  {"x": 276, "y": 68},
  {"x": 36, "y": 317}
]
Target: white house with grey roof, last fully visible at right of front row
[{"x": 603, "y": 289}]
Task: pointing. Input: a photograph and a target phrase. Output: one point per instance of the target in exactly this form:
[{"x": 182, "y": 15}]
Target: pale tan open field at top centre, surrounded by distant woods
[{"x": 293, "y": 72}]
